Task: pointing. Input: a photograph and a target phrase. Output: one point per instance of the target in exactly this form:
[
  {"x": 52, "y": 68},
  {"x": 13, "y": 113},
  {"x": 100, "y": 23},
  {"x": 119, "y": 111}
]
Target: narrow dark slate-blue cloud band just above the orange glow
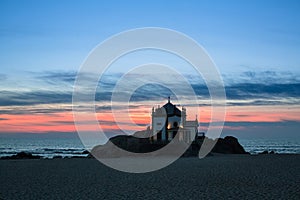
[{"x": 255, "y": 94}]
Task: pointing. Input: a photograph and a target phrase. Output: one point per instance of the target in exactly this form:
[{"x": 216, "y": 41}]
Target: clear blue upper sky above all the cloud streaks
[{"x": 45, "y": 35}]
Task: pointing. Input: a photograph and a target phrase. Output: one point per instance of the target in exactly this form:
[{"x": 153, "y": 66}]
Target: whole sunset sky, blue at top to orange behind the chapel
[{"x": 254, "y": 44}]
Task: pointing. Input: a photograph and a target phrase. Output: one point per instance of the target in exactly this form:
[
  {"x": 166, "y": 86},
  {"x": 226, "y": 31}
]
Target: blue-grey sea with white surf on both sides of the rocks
[{"x": 70, "y": 145}]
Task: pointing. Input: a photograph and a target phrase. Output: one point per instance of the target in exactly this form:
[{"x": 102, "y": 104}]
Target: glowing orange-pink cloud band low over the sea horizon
[{"x": 64, "y": 122}]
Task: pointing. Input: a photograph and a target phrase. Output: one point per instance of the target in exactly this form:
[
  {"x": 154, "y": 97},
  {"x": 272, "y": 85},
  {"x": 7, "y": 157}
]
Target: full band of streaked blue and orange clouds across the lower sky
[{"x": 251, "y": 103}]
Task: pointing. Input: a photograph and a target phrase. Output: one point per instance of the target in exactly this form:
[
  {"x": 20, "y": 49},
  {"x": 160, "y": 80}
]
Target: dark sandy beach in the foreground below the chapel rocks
[{"x": 214, "y": 177}]
